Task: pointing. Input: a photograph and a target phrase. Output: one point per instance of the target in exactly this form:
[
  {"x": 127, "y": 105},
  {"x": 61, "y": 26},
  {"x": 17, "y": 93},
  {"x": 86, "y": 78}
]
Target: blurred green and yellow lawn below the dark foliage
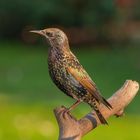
[{"x": 28, "y": 96}]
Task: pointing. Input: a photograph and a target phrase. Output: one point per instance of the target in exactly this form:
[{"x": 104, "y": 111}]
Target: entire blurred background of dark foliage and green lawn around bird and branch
[{"x": 105, "y": 36}]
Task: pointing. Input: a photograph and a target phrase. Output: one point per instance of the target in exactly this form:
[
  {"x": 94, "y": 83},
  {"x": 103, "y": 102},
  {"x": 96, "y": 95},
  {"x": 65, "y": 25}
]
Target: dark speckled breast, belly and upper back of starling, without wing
[{"x": 58, "y": 61}]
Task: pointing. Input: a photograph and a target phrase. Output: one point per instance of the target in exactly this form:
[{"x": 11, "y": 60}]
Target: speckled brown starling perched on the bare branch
[{"x": 69, "y": 75}]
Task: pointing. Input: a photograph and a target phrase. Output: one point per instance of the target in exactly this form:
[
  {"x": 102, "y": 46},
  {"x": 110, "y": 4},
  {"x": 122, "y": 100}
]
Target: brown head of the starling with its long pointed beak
[{"x": 55, "y": 36}]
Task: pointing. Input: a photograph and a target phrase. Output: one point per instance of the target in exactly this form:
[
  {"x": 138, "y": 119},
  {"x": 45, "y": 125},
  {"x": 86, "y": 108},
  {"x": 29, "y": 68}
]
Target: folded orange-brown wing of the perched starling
[{"x": 84, "y": 79}]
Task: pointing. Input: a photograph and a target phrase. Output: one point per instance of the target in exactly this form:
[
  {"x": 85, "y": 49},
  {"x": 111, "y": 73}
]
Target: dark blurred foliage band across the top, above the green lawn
[{"x": 106, "y": 20}]
